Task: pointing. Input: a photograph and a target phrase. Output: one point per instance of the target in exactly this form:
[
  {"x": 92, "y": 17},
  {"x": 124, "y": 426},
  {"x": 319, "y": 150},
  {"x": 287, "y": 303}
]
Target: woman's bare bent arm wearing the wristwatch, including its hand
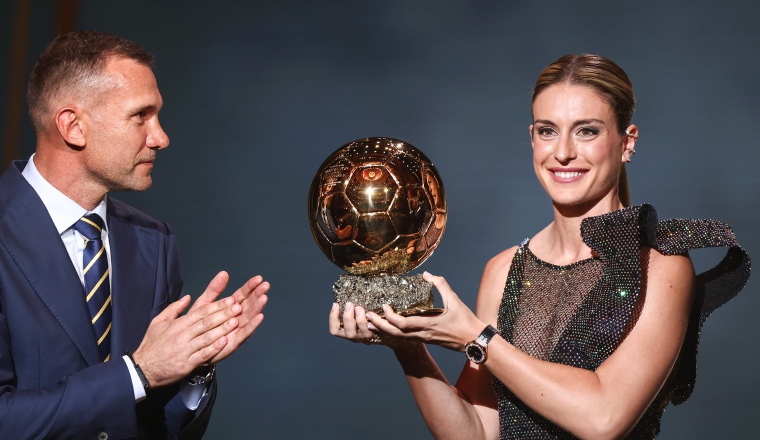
[{"x": 591, "y": 404}]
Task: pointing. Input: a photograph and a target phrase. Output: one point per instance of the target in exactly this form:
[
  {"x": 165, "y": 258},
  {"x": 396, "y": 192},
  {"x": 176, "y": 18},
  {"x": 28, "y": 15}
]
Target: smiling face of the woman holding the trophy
[{"x": 577, "y": 150}]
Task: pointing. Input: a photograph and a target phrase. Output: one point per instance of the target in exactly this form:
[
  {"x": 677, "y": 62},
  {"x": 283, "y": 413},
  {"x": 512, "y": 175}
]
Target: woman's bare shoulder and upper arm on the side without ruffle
[{"x": 492, "y": 285}]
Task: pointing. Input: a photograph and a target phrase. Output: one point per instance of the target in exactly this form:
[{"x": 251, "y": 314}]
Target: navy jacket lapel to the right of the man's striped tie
[{"x": 134, "y": 257}]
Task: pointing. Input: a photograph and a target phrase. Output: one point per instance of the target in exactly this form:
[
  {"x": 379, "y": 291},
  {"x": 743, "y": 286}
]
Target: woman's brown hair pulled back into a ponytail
[{"x": 608, "y": 80}]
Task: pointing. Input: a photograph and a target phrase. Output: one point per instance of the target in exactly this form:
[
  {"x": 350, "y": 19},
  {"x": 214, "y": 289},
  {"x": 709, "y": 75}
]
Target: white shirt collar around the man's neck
[{"x": 64, "y": 211}]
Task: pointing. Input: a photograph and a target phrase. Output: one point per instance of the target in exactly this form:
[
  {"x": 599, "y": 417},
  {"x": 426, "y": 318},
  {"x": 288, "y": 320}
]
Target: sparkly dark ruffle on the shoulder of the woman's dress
[{"x": 619, "y": 235}]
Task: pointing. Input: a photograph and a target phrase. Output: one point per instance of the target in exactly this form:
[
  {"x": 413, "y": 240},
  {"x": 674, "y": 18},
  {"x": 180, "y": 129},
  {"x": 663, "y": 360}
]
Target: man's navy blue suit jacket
[{"x": 51, "y": 383}]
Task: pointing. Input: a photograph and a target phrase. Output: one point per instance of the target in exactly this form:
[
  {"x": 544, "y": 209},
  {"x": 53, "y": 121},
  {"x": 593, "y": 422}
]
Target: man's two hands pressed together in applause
[{"x": 174, "y": 346}]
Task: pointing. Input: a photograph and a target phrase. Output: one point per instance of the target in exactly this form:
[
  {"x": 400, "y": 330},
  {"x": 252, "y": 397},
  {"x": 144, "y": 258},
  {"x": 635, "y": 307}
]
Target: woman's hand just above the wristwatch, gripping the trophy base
[{"x": 453, "y": 328}]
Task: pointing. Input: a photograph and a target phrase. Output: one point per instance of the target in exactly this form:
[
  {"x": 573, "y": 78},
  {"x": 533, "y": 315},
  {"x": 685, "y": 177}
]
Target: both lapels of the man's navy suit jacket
[{"x": 30, "y": 237}]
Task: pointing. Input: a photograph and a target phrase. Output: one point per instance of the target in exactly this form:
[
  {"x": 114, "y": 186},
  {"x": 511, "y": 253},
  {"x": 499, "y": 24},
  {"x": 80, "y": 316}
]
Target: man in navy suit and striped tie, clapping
[{"x": 85, "y": 278}]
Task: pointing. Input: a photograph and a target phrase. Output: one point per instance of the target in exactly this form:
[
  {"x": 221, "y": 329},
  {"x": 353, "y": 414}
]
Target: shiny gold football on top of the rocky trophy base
[{"x": 377, "y": 205}]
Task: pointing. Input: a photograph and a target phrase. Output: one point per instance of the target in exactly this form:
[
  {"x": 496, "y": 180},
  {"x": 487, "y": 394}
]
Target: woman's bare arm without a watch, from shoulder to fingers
[{"x": 469, "y": 409}]
